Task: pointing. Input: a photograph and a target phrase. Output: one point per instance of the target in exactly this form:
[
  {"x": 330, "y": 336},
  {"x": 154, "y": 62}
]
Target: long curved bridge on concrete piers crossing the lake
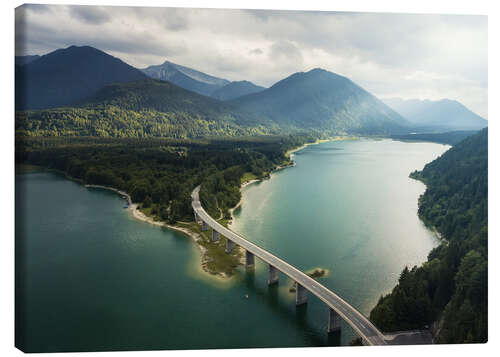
[{"x": 337, "y": 307}]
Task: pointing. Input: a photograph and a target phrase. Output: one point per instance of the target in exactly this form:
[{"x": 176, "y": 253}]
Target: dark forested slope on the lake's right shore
[{"x": 449, "y": 292}]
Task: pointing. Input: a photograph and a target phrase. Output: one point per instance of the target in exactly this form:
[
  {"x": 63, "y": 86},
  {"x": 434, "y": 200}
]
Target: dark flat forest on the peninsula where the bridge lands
[{"x": 160, "y": 174}]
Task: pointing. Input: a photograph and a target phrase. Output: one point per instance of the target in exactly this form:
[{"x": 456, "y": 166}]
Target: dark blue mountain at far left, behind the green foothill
[{"x": 67, "y": 76}]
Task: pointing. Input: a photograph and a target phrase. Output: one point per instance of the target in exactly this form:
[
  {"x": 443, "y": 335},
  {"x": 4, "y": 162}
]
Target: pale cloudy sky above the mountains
[{"x": 390, "y": 55}]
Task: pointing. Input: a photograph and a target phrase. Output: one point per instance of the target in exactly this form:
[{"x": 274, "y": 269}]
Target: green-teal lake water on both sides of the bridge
[{"x": 91, "y": 277}]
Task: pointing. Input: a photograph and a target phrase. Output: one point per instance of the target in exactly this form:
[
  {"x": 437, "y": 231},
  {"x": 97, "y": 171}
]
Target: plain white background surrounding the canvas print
[{"x": 481, "y": 7}]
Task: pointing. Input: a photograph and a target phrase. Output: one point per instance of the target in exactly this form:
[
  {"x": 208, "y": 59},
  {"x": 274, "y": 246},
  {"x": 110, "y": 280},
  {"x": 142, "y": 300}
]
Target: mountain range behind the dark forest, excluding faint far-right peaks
[{"x": 97, "y": 94}]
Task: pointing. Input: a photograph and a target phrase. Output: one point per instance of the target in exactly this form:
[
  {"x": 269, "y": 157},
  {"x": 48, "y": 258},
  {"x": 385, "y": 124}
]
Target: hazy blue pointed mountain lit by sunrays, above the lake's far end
[{"x": 323, "y": 101}]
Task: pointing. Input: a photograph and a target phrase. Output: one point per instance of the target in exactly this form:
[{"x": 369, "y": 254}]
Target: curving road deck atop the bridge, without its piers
[{"x": 366, "y": 330}]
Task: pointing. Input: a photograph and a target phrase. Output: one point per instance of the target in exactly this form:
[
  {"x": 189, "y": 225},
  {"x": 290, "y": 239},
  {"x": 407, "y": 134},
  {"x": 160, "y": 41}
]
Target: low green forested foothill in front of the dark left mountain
[{"x": 146, "y": 108}]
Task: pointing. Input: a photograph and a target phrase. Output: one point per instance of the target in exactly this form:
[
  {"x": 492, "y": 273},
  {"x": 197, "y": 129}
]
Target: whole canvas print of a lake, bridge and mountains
[{"x": 192, "y": 178}]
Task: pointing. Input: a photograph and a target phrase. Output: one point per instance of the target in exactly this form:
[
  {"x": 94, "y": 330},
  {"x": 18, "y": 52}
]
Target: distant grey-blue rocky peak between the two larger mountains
[{"x": 186, "y": 78}]
